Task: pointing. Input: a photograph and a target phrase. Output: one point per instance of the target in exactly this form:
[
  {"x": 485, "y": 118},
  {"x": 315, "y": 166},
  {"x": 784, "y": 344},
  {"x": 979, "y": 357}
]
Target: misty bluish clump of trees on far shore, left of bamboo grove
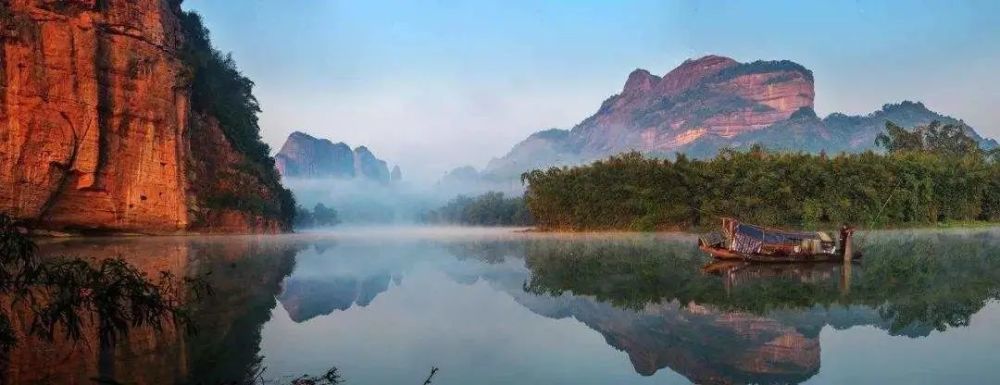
[{"x": 489, "y": 209}]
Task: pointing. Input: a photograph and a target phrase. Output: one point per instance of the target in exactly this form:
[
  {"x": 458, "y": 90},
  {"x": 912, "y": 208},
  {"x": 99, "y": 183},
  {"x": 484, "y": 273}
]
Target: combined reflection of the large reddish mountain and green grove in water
[{"x": 664, "y": 305}]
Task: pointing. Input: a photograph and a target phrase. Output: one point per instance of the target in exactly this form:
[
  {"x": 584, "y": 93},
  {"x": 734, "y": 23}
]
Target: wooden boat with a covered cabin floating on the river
[{"x": 744, "y": 242}]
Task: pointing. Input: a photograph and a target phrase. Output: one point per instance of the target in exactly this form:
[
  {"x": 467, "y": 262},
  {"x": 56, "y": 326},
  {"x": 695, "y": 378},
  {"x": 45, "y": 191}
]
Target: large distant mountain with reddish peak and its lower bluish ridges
[{"x": 707, "y": 104}]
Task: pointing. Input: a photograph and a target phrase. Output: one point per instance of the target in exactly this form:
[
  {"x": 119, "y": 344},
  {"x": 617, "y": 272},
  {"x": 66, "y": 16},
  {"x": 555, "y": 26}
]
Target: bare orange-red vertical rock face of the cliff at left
[{"x": 96, "y": 118}]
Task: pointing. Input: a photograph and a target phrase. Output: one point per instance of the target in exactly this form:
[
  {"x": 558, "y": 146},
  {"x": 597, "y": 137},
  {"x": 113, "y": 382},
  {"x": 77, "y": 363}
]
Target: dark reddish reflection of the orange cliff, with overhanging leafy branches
[{"x": 92, "y": 318}]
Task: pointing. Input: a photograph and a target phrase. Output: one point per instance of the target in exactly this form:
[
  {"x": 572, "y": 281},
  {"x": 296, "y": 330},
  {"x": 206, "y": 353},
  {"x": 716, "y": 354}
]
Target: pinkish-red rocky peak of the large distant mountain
[{"x": 712, "y": 95}]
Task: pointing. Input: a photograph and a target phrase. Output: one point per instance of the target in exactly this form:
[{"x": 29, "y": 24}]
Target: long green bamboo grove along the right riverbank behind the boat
[{"x": 939, "y": 179}]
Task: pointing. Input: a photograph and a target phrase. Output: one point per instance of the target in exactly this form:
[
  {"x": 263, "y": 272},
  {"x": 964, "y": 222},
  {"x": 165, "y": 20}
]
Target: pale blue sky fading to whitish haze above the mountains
[{"x": 432, "y": 85}]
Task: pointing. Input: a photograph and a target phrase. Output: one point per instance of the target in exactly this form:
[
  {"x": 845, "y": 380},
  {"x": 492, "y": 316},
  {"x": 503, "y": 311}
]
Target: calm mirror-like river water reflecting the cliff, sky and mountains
[{"x": 498, "y": 307}]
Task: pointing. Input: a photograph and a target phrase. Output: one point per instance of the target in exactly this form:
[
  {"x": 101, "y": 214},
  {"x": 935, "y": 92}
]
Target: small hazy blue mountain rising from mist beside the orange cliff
[{"x": 305, "y": 156}]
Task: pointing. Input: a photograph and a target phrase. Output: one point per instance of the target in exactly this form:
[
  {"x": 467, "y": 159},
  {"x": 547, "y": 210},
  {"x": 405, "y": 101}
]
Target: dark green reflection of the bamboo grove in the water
[{"x": 916, "y": 284}]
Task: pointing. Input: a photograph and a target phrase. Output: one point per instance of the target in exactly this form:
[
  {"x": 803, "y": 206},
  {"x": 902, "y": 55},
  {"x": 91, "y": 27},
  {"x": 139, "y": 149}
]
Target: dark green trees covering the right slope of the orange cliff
[{"x": 219, "y": 90}]
